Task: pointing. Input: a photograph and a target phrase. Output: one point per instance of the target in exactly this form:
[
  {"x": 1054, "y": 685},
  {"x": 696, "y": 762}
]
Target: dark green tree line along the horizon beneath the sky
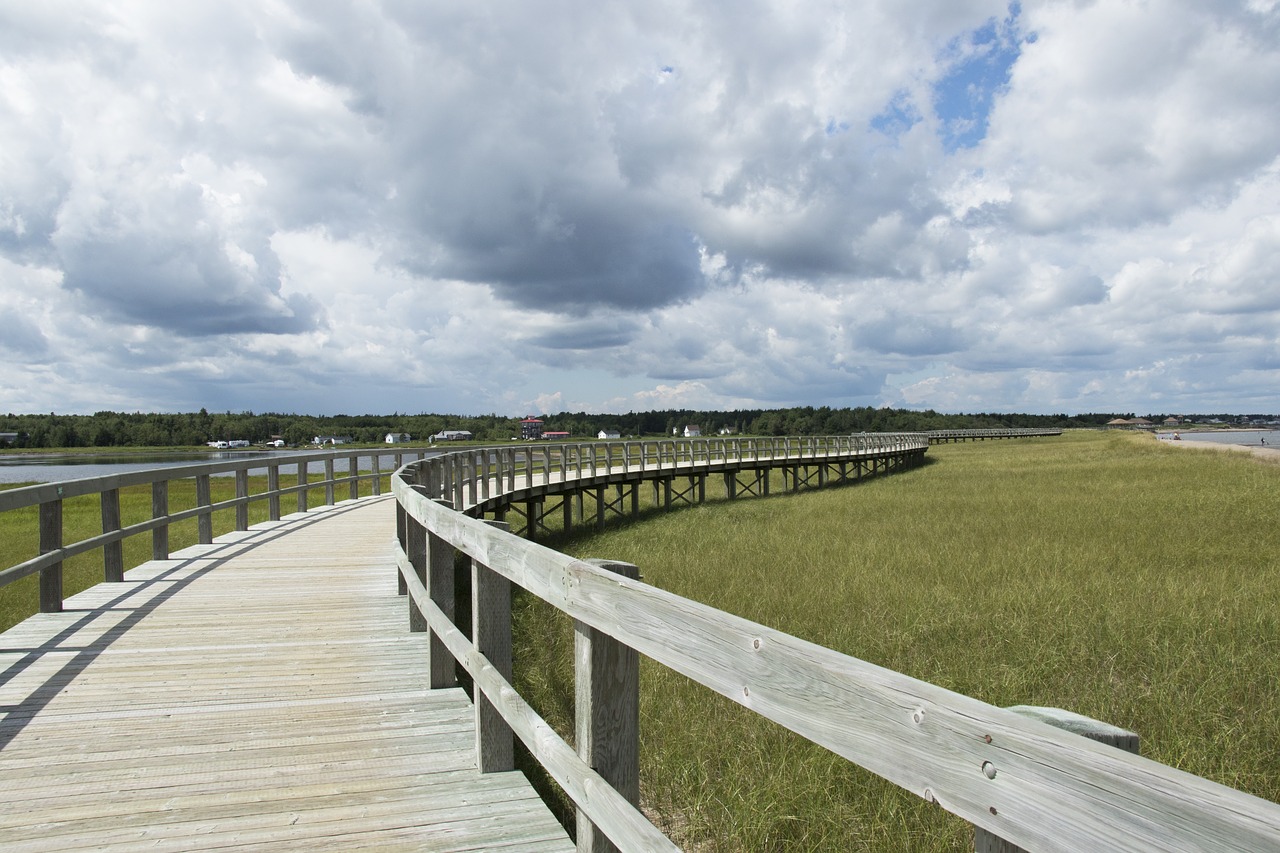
[{"x": 194, "y": 430}]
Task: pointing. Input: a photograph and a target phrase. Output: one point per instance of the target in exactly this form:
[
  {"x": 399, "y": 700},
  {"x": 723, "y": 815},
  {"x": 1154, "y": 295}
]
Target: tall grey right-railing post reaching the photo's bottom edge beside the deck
[{"x": 607, "y": 713}]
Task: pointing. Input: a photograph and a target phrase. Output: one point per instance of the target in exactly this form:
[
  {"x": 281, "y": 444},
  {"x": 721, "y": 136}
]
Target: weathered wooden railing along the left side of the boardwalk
[{"x": 363, "y": 467}]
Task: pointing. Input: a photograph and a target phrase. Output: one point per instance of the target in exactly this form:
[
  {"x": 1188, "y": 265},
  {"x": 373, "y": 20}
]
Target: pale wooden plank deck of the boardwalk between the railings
[{"x": 263, "y": 692}]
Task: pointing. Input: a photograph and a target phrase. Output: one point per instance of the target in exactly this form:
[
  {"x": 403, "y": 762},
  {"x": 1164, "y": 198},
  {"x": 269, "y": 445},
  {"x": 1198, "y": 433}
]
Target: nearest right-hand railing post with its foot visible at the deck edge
[{"x": 491, "y": 628}]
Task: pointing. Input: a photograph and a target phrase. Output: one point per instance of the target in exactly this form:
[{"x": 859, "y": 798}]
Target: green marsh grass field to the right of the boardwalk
[{"x": 1101, "y": 573}]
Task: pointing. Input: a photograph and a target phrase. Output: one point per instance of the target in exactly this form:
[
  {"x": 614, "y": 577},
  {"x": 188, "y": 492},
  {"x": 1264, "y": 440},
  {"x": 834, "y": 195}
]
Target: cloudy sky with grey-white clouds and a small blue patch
[{"x": 577, "y": 206}]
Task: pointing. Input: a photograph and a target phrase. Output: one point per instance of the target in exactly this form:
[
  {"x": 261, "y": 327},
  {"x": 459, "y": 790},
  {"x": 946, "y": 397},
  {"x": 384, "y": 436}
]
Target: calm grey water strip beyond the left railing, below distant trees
[{"x": 53, "y": 468}]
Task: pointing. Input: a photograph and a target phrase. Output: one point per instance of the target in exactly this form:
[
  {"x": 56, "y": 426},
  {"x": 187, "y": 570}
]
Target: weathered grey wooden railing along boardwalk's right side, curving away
[{"x": 1017, "y": 778}]
